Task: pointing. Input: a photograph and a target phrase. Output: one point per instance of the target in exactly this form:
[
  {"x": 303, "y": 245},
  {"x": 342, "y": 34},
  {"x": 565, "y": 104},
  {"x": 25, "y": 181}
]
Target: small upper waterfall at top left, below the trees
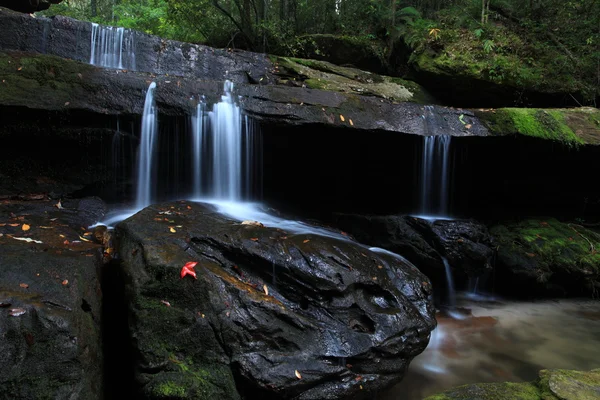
[{"x": 112, "y": 47}]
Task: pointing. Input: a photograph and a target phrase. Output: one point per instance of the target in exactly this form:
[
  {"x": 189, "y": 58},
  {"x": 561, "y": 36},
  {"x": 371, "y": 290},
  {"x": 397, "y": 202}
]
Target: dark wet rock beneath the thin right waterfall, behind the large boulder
[{"x": 466, "y": 244}]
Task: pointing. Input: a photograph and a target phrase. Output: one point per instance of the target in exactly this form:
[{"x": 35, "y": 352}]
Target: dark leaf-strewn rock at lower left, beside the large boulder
[{"x": 50, "y": 342}]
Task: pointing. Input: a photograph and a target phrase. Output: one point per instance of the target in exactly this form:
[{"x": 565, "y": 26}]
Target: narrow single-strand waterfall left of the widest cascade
[{"x": 146, "y": 150}]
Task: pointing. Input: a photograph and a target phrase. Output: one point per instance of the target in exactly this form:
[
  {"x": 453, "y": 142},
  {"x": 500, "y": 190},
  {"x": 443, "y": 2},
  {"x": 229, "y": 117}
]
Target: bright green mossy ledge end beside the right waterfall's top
[{"x": 572, "y": 126}]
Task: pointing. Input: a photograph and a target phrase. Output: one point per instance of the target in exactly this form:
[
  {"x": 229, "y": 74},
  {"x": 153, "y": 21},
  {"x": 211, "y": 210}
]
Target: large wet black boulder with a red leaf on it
[{"x": 274, "y": 314}]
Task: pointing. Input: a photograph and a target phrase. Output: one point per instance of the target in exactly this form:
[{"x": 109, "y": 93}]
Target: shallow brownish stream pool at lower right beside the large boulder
[{"x": 500, "y": 340}]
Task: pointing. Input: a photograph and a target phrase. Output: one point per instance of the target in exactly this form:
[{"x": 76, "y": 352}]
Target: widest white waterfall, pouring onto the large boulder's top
[{"x": 225, "y": 150}]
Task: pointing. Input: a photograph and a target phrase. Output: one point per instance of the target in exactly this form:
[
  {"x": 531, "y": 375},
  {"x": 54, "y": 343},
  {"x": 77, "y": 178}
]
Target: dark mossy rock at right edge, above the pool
[{"x": 543, "y": 256}]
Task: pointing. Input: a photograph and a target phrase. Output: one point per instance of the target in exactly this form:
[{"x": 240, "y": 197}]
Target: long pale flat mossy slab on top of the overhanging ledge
[{"x": 326, "y": 76}]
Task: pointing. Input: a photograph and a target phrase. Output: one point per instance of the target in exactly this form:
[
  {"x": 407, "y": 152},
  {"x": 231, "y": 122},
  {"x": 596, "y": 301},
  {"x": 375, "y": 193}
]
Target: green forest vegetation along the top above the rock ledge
[{"x": 543, "y": 45}]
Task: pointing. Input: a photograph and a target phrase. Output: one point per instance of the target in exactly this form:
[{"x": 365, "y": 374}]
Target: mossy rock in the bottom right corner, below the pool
[{"x": 553, "y": 384}]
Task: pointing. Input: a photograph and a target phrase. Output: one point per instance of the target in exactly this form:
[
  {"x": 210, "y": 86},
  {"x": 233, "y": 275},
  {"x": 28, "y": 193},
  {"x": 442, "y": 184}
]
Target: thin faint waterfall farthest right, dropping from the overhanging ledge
[{"x": 435, "y": 175}]
